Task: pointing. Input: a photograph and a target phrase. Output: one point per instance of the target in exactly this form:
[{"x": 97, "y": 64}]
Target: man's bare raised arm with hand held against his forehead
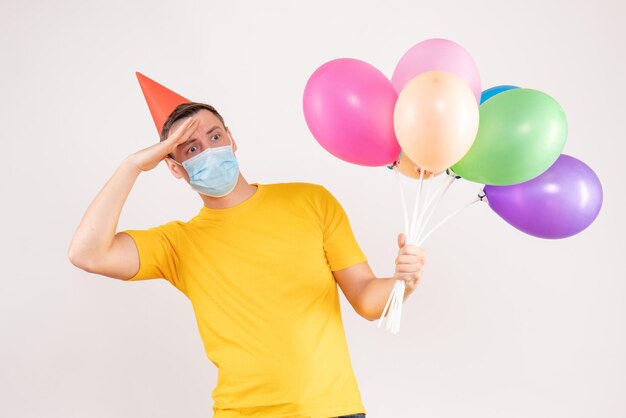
[{"x": 95, "y": 246}]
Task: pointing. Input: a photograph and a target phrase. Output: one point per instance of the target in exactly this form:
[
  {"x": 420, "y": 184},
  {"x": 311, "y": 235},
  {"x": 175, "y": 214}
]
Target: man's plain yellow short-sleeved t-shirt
[{"x": 259, "y": 277}]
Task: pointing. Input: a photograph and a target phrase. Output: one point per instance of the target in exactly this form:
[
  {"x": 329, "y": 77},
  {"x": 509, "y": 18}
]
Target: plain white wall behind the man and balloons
[{"x": 503, "y": 324}]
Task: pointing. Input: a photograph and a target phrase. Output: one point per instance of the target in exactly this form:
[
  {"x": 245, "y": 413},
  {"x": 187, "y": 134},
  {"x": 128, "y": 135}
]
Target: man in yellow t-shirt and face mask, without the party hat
[{"x": 260, "y": 264}]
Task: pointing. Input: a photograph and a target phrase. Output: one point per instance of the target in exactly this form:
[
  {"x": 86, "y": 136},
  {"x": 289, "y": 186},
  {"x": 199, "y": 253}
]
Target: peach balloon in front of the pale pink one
[{"x": 436, "y": 120}]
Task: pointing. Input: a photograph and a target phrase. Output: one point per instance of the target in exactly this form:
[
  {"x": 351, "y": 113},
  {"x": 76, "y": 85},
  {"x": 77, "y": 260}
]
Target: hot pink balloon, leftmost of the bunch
[{"x": 348, "y": 107}]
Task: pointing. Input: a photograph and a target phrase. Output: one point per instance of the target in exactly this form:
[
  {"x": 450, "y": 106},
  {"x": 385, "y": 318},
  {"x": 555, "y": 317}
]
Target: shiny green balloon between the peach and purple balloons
[{"x": 521, "y": 134}]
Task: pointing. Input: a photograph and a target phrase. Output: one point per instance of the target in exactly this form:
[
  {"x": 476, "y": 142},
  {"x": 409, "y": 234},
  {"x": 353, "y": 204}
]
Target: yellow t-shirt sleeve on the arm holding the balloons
[{"x": 340, "y": 246}]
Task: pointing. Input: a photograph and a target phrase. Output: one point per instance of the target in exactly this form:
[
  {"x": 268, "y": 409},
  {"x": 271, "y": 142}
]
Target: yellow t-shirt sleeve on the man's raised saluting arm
[{"x": 157, "y": 249}]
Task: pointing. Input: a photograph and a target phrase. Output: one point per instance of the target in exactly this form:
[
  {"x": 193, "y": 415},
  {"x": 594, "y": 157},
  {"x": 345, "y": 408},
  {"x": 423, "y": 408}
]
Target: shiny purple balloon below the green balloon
[{"x": 559, "y": 203}]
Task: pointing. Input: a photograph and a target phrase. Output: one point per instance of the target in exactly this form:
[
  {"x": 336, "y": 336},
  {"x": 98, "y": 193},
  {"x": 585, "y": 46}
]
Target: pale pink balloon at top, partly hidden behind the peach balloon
[{"x": 437, "y": 54}]
